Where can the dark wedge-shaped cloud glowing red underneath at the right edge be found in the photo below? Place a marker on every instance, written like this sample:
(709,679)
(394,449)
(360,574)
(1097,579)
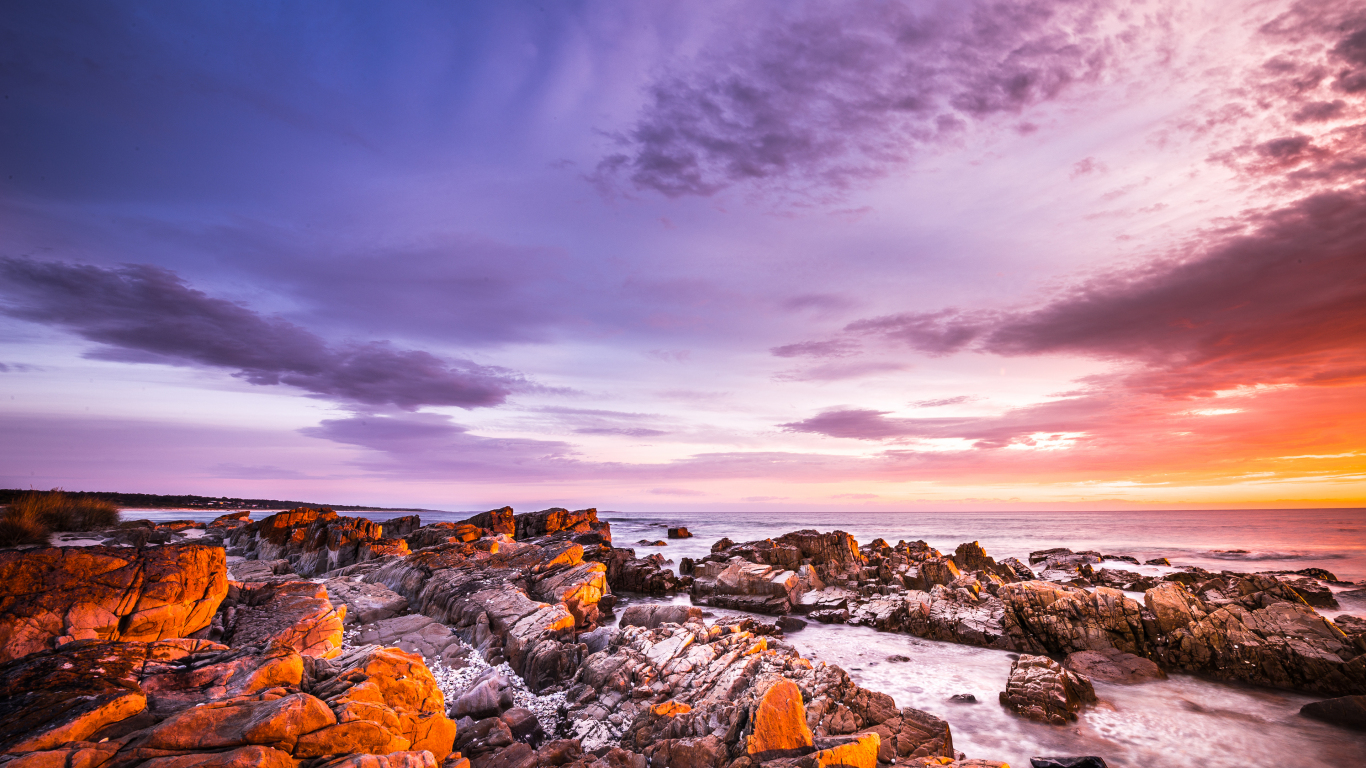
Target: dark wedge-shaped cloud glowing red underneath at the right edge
(1279,303)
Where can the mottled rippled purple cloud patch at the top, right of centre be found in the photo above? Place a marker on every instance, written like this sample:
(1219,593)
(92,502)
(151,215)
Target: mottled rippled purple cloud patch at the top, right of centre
(824,98)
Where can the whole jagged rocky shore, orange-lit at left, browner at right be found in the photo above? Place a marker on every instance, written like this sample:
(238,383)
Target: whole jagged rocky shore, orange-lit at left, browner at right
(313,640)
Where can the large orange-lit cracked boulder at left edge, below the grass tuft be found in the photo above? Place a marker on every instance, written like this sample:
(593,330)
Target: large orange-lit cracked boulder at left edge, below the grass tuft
(58,595)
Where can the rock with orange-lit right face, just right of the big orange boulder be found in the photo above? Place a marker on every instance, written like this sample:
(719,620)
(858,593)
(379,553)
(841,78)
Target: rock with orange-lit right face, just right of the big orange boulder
(293,614)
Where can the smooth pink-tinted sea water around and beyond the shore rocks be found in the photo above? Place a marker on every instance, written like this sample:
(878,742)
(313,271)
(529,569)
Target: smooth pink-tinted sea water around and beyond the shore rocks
(1182,722)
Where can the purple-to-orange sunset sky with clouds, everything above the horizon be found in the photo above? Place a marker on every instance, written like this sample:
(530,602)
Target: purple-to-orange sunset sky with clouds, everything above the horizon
(688,256)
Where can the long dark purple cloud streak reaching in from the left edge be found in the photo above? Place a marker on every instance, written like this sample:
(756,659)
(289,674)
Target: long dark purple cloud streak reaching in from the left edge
(143,314)
